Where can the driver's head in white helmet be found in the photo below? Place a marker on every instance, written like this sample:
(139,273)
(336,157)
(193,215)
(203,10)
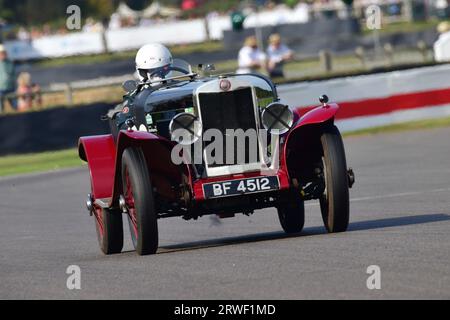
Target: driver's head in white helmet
(153,62)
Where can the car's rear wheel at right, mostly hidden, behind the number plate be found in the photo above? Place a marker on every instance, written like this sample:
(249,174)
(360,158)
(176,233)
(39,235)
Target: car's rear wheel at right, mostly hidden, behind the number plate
(292,215)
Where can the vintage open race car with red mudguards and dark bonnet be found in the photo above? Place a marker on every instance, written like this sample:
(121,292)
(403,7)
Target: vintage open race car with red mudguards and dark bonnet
(169,155)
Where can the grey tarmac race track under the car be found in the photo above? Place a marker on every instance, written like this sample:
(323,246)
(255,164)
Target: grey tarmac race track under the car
(400,221)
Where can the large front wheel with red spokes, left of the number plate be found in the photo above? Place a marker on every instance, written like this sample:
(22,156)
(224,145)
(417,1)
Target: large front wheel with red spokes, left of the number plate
(138,194)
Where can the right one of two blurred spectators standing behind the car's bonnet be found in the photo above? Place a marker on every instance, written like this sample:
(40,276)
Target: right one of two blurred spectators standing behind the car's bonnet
(278,54)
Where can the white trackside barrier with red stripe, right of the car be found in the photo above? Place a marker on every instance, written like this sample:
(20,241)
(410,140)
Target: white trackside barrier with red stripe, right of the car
(379,99)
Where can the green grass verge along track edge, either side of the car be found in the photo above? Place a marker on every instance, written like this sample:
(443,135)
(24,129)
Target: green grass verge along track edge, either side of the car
(47,161)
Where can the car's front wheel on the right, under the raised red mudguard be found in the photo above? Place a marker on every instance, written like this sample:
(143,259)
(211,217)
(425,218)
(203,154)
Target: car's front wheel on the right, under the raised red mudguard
(334,203)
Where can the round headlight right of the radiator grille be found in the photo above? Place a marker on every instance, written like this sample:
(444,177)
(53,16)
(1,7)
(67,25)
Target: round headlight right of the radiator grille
(277,118)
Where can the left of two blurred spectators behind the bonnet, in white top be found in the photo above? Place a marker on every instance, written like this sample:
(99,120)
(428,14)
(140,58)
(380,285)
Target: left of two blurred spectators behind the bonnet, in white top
(251,58)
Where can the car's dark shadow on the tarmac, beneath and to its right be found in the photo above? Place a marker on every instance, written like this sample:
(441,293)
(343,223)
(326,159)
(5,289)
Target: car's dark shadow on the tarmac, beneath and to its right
(268,236)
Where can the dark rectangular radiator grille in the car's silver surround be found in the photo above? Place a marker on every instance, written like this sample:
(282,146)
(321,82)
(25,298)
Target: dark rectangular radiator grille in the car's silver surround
(229,110)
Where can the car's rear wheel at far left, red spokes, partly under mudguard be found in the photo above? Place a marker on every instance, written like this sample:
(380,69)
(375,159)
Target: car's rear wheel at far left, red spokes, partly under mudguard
(109,227)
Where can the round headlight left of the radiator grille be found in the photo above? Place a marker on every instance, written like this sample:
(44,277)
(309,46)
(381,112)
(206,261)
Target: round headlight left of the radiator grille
(185,128)
